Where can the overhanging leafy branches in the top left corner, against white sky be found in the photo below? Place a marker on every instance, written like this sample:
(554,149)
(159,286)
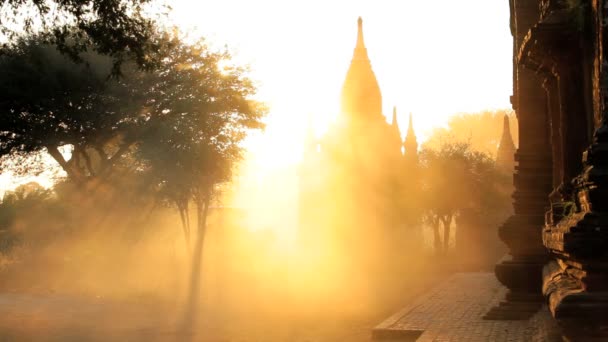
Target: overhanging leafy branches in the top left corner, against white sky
(118,29)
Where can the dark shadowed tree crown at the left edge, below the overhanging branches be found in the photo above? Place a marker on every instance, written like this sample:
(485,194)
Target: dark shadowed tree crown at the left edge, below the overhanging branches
(48,102)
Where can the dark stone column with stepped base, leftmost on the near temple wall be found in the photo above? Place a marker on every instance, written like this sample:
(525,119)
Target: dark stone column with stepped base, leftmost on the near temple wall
(521,269)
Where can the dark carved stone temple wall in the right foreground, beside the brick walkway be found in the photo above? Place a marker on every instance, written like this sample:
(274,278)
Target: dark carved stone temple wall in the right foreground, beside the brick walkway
(558,234)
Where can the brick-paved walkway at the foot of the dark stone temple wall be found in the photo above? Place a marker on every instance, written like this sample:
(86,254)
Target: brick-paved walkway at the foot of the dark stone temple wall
(453,311)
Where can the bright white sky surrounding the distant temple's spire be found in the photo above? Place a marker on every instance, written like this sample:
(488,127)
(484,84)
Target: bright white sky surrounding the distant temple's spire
(431,58)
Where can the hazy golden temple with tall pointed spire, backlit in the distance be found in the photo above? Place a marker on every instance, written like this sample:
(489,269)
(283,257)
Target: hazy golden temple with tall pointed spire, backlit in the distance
(354,177)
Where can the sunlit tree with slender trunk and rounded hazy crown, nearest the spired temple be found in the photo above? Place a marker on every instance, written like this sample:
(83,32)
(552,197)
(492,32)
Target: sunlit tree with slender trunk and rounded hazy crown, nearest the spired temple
(190,158)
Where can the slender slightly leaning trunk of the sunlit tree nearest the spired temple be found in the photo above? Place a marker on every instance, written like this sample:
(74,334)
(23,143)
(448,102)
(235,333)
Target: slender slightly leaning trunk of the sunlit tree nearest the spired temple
(192,305)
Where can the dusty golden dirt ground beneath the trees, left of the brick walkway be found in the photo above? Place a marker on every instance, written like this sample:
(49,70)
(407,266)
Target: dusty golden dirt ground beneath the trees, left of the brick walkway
(60,317)
